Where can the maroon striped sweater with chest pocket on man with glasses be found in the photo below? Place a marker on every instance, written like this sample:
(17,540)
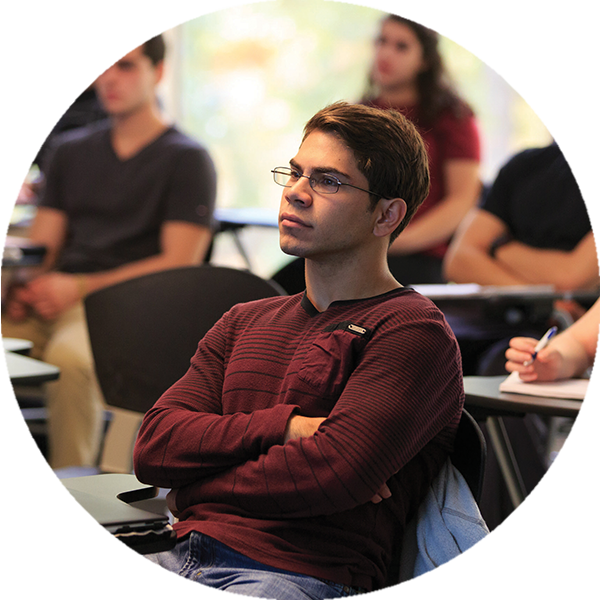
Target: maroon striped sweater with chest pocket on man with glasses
(386,373)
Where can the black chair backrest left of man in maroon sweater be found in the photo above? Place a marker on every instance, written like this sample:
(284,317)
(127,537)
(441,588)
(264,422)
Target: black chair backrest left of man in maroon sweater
(144,331)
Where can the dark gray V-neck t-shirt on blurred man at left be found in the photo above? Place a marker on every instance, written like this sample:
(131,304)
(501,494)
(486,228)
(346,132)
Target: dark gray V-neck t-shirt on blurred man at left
(115,207)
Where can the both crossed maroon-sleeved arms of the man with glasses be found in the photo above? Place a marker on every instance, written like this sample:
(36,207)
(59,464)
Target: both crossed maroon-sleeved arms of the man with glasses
(247,459)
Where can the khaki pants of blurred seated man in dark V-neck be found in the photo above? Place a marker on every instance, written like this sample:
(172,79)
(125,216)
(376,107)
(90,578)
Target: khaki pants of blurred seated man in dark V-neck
(74,401)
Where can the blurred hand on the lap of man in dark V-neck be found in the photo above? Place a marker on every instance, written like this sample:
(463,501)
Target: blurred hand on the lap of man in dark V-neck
(53,293)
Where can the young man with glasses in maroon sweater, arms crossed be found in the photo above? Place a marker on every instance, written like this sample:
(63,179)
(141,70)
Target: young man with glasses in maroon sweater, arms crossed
(308,427)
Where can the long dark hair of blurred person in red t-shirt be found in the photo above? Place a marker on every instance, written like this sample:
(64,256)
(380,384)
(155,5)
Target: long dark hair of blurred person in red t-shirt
(434,86)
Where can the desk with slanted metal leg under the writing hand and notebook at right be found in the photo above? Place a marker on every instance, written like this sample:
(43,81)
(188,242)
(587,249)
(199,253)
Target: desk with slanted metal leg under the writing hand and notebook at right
(483,393)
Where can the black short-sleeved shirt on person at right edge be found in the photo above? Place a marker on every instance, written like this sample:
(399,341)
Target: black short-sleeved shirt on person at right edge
(547,198)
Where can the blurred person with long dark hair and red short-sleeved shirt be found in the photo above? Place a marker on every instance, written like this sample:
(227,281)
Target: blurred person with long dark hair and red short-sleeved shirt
(408,74)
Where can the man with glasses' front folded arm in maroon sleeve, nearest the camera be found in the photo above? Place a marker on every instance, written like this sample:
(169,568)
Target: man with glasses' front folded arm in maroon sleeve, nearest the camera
(377,426)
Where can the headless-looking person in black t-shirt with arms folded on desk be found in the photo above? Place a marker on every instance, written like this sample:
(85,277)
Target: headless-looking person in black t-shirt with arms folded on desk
(540,223)
